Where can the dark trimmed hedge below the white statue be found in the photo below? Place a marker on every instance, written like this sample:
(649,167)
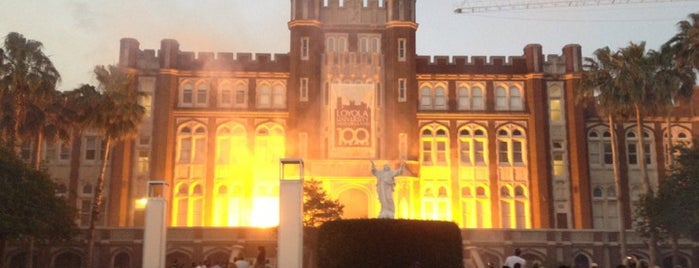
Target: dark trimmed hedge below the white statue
(385,243)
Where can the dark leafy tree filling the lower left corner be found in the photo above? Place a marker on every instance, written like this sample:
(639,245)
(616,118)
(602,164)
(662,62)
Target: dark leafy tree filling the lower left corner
(29,207)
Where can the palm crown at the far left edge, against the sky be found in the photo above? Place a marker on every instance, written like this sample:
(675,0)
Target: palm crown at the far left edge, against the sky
(27,76)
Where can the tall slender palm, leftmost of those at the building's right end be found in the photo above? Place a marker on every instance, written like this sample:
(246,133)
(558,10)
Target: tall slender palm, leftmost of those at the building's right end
(599,85)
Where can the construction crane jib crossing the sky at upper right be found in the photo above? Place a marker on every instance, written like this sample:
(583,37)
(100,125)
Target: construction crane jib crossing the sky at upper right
(481,6)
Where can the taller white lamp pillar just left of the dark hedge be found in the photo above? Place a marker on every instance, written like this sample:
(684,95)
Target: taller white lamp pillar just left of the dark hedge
(290,239)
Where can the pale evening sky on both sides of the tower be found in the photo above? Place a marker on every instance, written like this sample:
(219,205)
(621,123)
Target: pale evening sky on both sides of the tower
(79,34)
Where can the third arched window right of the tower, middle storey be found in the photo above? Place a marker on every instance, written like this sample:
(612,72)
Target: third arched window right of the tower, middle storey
(511,146)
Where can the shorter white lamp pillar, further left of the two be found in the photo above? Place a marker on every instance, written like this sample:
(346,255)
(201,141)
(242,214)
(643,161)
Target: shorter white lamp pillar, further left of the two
(155,233)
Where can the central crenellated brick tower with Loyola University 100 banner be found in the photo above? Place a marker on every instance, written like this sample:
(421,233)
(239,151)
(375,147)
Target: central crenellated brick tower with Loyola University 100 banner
(347,54)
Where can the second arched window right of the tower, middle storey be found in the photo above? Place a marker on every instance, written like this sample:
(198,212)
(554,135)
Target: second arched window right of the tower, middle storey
(472,144)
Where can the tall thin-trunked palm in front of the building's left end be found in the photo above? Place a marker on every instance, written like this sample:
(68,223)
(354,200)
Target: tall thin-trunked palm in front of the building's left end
(116,117)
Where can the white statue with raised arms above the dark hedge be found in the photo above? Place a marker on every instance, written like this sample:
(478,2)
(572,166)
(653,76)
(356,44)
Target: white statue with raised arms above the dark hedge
(384,187)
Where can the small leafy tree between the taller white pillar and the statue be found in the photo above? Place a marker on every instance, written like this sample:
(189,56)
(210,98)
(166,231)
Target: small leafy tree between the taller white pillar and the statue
(317,206)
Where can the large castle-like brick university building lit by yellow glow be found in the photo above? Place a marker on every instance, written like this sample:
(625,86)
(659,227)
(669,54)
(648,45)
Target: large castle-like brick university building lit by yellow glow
(490,142)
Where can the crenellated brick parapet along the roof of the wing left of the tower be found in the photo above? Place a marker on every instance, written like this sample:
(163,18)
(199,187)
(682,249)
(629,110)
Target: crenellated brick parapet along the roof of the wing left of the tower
(169,56)
